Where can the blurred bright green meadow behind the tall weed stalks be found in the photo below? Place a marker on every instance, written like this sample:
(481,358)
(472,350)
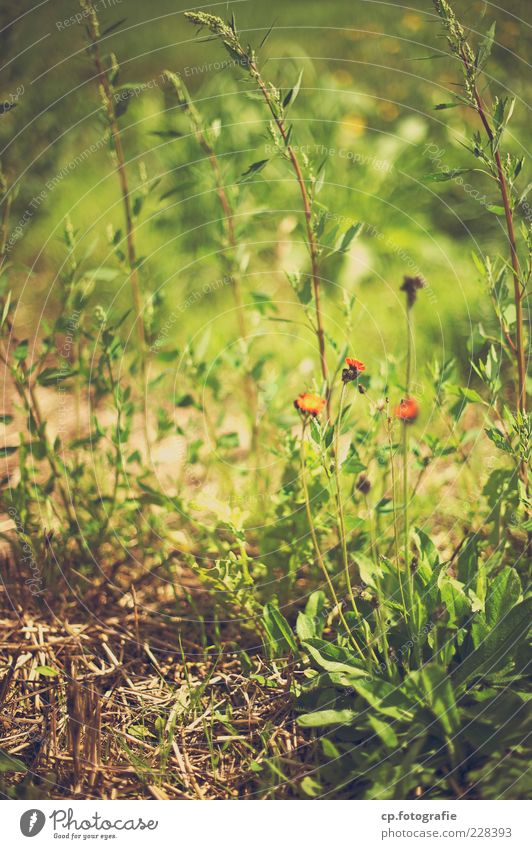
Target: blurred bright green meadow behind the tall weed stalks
(373,73)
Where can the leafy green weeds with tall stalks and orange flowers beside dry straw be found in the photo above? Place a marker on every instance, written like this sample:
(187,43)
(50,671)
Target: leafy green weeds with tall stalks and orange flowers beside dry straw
(316,524)
